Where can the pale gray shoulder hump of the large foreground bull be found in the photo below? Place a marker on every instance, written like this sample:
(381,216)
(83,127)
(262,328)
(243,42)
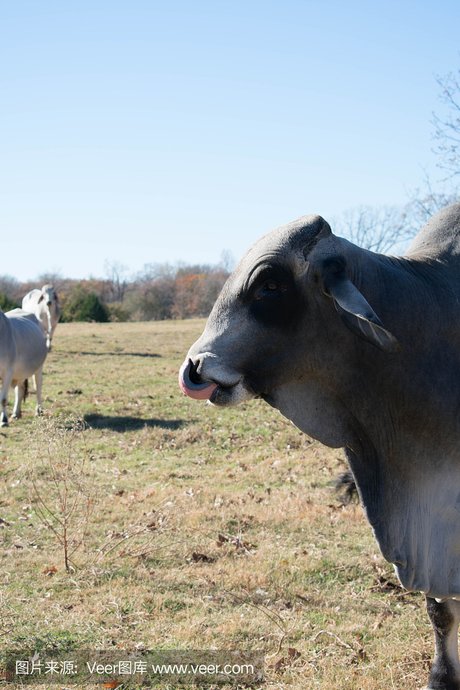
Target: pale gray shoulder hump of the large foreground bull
(440,237)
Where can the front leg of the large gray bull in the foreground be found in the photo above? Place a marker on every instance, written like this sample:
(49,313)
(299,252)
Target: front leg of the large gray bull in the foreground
(445,618)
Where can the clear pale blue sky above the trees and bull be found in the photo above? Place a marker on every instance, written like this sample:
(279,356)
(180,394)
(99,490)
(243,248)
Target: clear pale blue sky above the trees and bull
(147,131)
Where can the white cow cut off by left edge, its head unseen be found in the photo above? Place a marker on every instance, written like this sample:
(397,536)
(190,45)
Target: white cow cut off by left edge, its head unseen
(22,353)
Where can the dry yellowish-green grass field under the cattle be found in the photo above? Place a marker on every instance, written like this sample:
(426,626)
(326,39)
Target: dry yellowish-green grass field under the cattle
(183,526)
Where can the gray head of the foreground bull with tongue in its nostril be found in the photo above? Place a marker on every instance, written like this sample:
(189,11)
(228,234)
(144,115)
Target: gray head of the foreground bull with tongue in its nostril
(283,320)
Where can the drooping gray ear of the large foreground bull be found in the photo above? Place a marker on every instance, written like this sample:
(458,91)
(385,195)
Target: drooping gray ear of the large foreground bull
(355,311)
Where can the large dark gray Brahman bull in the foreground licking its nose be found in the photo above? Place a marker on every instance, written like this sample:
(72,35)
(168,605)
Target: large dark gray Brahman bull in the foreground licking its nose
(360,351)
